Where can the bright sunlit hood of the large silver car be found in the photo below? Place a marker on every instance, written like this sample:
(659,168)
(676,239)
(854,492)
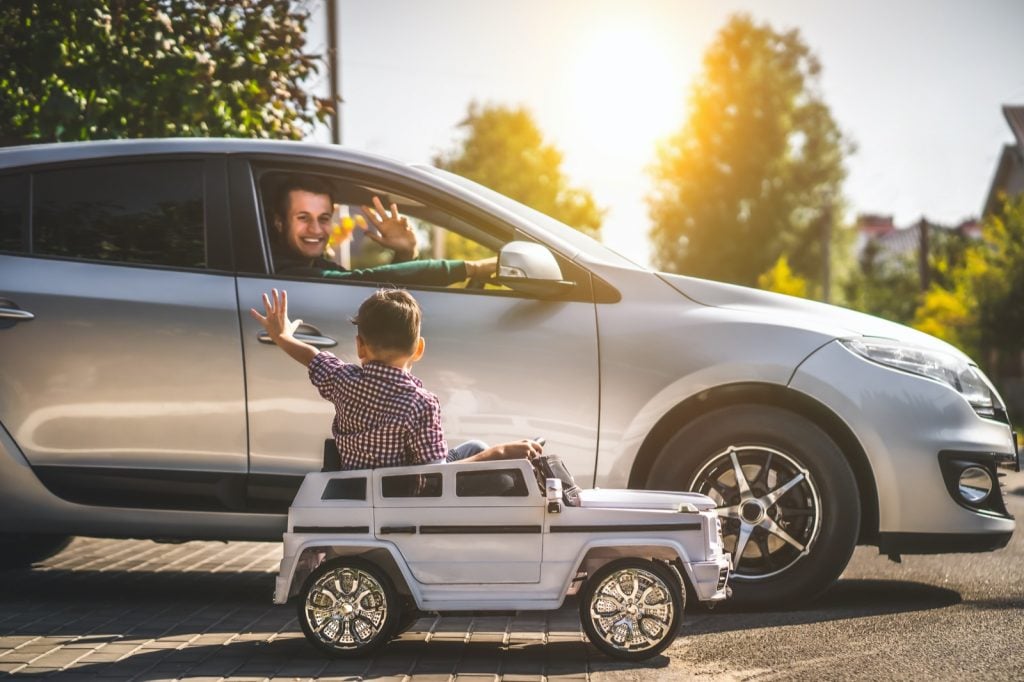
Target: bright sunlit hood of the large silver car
(801,313)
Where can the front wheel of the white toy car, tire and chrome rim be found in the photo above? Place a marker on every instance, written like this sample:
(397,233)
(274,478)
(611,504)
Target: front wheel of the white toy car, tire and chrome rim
(632,609)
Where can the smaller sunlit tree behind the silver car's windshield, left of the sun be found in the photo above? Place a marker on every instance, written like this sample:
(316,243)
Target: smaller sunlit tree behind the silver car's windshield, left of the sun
(504,150)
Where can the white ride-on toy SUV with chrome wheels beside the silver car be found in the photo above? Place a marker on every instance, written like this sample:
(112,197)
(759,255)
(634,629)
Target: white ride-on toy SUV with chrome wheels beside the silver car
(366,551)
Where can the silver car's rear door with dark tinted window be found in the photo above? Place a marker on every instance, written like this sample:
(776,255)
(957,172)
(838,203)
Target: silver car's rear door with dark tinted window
(123,382)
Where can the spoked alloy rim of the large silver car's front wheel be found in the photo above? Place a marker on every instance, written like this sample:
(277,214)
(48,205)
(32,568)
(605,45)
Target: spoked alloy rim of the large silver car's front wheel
(770,505)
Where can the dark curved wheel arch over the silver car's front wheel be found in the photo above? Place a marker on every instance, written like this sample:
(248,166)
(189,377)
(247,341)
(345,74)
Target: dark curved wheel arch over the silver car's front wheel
(775,396)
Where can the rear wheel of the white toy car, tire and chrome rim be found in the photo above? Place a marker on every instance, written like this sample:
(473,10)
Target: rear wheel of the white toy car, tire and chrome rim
(349,608)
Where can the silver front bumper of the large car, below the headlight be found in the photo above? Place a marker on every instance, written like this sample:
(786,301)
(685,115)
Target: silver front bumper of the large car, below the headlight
(904,422)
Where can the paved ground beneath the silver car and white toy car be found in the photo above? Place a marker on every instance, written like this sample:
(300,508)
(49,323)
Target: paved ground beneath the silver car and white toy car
(133,610)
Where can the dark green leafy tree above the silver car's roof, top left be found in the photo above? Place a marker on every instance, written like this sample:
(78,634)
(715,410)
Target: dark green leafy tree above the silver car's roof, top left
(104,69)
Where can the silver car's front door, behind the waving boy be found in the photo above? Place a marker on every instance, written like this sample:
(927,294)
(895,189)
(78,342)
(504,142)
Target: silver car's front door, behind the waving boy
(505,367)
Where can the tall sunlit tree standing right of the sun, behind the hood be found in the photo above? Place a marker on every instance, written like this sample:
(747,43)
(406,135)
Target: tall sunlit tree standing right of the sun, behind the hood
(757,170)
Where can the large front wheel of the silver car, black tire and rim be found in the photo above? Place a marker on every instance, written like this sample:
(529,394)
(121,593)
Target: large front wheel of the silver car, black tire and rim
(814,526)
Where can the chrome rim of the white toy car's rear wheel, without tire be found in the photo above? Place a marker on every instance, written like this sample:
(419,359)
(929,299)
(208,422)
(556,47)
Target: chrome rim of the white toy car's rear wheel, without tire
(347,609)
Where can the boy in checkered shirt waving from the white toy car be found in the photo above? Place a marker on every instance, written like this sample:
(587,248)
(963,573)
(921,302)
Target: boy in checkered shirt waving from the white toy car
(383,415)
